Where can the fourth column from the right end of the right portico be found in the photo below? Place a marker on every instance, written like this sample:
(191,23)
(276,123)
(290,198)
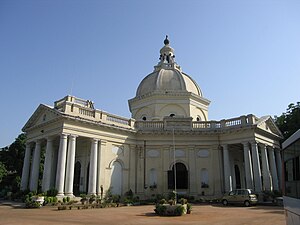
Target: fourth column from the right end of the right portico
(256,168)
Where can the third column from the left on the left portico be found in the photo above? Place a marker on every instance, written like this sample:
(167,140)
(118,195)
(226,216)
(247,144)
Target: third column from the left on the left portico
(47,165)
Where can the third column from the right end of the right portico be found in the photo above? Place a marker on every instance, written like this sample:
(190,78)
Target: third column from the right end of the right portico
(265,168)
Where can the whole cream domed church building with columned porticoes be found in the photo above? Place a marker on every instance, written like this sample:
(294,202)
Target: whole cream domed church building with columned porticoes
(168,141)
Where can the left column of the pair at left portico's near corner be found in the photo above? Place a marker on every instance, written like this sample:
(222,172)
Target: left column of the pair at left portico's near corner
(61,165)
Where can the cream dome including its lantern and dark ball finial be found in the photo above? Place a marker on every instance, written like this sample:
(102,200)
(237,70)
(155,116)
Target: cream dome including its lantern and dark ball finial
(167,76)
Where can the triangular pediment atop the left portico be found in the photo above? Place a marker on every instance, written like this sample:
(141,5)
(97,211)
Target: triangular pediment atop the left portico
(43,114)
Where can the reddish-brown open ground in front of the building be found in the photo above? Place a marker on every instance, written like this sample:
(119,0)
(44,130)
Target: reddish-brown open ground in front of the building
(137,215)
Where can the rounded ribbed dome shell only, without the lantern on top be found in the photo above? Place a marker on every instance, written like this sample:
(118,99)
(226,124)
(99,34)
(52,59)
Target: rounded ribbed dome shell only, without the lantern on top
(166,79)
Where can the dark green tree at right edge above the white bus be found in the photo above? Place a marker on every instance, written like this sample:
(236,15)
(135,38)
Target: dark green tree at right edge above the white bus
(289,122)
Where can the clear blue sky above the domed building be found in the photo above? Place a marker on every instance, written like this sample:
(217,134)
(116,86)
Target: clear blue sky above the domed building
(244,55)
